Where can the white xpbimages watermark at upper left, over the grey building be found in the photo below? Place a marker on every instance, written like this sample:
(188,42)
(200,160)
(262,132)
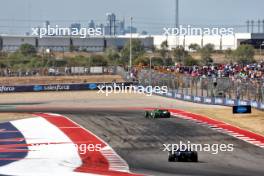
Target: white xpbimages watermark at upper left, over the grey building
(64,31)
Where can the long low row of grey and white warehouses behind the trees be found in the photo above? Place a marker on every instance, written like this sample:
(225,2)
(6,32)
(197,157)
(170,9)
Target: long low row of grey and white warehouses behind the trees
(100,43)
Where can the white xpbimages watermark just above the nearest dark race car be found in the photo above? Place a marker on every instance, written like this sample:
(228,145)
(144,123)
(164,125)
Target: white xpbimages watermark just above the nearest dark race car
(211,148)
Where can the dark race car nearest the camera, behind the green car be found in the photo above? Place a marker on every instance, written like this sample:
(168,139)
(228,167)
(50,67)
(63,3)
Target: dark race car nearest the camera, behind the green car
(183,156)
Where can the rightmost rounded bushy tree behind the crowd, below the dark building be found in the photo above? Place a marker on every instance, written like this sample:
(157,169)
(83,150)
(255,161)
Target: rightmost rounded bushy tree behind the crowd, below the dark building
(244,54)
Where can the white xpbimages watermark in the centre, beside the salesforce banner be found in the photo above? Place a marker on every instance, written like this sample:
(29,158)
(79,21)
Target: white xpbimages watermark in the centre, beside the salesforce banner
(123,89)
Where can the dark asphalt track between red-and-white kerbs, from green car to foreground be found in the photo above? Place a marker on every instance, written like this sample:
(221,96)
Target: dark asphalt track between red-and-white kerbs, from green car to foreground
(140,142)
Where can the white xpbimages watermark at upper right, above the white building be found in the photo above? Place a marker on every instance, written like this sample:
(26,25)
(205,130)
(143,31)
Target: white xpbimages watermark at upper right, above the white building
(189,30)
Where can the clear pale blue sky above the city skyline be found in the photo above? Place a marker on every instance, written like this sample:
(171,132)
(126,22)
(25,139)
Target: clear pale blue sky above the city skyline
(150,15)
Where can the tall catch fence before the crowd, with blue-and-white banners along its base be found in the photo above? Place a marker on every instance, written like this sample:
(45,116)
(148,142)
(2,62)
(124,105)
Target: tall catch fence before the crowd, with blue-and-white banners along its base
(225,91)
